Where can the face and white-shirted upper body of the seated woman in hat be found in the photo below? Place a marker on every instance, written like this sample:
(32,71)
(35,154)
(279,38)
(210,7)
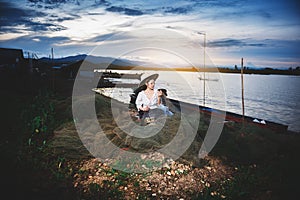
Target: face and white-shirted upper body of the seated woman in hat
(148,99)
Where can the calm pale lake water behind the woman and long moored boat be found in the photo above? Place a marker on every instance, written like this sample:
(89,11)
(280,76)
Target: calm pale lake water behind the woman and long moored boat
(270,97)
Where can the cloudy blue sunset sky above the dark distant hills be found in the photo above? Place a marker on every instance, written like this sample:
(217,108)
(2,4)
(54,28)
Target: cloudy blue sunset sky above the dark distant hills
(165,32)
